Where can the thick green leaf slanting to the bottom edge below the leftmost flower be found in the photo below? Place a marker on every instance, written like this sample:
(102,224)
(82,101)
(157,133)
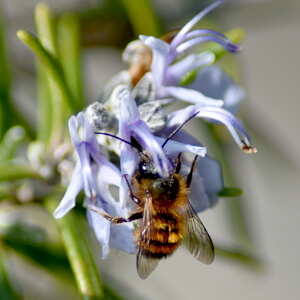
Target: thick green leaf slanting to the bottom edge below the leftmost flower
(84,269)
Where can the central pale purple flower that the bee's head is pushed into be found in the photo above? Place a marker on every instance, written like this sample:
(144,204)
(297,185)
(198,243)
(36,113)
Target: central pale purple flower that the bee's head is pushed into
(207,178)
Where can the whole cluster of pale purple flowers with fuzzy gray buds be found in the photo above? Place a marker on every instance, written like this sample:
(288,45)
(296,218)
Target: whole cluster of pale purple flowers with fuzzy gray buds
(138,115)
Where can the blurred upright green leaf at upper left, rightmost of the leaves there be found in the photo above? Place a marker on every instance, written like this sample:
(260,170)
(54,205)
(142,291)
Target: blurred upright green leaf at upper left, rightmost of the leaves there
(68,40)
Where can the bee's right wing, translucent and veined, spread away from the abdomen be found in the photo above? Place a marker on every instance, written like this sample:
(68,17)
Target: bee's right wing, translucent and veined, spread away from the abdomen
(198,240)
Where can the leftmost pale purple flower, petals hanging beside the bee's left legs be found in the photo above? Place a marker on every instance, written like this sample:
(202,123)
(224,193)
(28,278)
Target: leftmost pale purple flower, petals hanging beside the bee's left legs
(93,173)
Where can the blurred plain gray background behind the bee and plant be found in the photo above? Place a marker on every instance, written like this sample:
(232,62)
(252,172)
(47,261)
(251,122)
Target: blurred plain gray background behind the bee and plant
(269,66)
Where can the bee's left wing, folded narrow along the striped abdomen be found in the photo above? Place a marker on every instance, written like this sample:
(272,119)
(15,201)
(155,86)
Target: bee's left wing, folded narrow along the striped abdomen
(144,264)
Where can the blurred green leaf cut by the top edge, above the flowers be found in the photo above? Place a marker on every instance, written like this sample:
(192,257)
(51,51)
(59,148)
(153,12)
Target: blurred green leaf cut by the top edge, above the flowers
(143,19)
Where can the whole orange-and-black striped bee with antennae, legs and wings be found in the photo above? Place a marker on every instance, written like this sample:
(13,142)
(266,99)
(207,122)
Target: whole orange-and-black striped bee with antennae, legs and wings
(164,213)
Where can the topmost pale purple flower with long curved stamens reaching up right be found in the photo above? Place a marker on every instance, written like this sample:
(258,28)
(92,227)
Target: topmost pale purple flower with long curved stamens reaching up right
(166,73)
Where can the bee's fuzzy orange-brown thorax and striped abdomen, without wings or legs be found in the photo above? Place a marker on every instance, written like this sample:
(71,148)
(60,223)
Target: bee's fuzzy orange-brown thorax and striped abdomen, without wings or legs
(166,228)
